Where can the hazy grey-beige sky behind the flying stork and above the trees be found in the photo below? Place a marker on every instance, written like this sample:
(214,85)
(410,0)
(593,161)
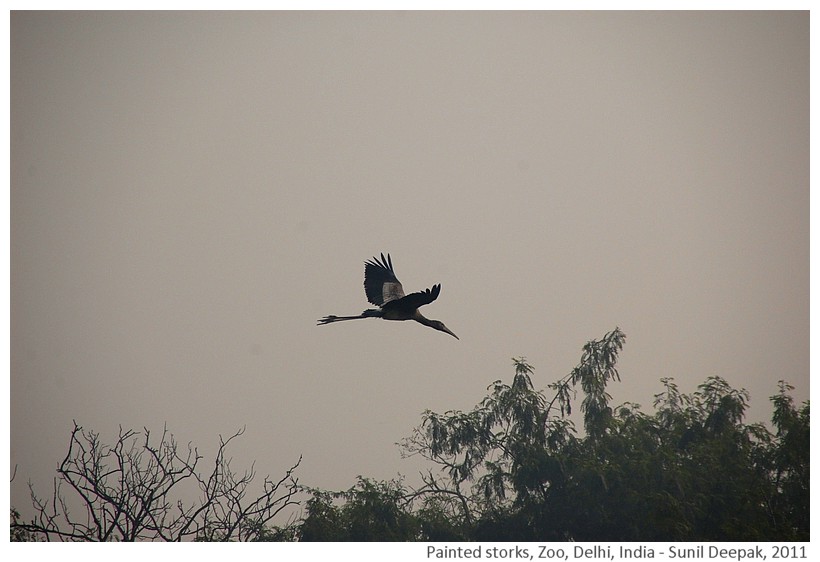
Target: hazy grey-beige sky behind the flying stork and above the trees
(190,192)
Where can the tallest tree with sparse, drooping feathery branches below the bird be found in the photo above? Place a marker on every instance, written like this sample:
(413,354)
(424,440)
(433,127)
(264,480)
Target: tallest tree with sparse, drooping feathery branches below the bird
(512,445)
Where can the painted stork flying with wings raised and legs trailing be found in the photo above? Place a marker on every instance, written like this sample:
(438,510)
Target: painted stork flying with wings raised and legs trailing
(385,291)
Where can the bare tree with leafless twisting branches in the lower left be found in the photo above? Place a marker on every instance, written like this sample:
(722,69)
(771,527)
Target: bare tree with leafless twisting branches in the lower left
(132,491)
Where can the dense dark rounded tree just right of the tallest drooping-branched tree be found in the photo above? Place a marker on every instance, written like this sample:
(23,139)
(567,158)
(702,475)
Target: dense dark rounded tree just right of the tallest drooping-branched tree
(689,472)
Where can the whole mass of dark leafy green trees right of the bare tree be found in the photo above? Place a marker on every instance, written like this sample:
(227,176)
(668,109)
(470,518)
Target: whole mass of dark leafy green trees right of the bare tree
(514,469)
